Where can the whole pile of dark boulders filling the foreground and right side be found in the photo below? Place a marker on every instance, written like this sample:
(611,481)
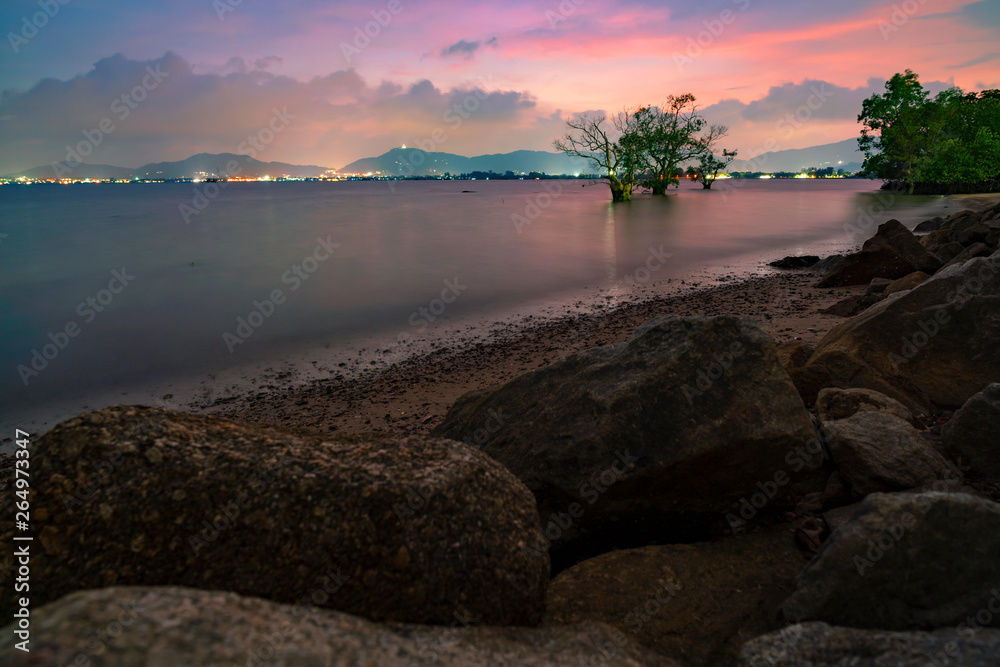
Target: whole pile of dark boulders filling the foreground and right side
(704,496)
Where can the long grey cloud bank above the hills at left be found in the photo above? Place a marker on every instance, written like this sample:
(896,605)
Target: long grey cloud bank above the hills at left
(337,117)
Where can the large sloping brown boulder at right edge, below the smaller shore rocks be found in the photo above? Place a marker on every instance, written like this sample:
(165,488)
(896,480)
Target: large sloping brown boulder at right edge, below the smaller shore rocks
(932,346)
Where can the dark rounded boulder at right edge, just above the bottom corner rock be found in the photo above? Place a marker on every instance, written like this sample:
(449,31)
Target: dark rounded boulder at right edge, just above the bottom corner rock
(905,561)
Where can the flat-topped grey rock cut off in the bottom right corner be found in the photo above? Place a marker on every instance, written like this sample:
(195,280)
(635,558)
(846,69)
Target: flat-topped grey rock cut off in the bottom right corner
(822,645)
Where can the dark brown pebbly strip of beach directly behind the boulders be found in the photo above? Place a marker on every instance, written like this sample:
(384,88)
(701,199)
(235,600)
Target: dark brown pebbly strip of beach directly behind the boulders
(411,396)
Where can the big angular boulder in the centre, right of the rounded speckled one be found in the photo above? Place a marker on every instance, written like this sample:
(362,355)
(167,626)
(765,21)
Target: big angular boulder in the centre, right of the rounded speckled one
(670,427)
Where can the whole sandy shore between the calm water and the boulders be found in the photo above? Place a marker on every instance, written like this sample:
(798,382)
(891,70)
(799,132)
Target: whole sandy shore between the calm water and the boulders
(369,382)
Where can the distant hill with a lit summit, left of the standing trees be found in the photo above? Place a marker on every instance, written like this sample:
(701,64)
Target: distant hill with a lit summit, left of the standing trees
(415,162)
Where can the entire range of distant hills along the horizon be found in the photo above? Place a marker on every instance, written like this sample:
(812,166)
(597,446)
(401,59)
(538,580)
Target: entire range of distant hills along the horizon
(414,162)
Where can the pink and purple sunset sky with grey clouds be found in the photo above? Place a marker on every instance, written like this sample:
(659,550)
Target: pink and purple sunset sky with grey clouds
(327,82)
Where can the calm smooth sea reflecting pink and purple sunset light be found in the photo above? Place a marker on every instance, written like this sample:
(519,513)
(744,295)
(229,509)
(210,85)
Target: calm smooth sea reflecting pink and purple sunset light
(108,288)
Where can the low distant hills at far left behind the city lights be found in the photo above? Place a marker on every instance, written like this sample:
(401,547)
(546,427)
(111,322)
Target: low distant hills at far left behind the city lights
(210,163)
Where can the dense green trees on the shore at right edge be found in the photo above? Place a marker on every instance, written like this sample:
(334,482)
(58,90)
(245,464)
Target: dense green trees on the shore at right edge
(946,144)
